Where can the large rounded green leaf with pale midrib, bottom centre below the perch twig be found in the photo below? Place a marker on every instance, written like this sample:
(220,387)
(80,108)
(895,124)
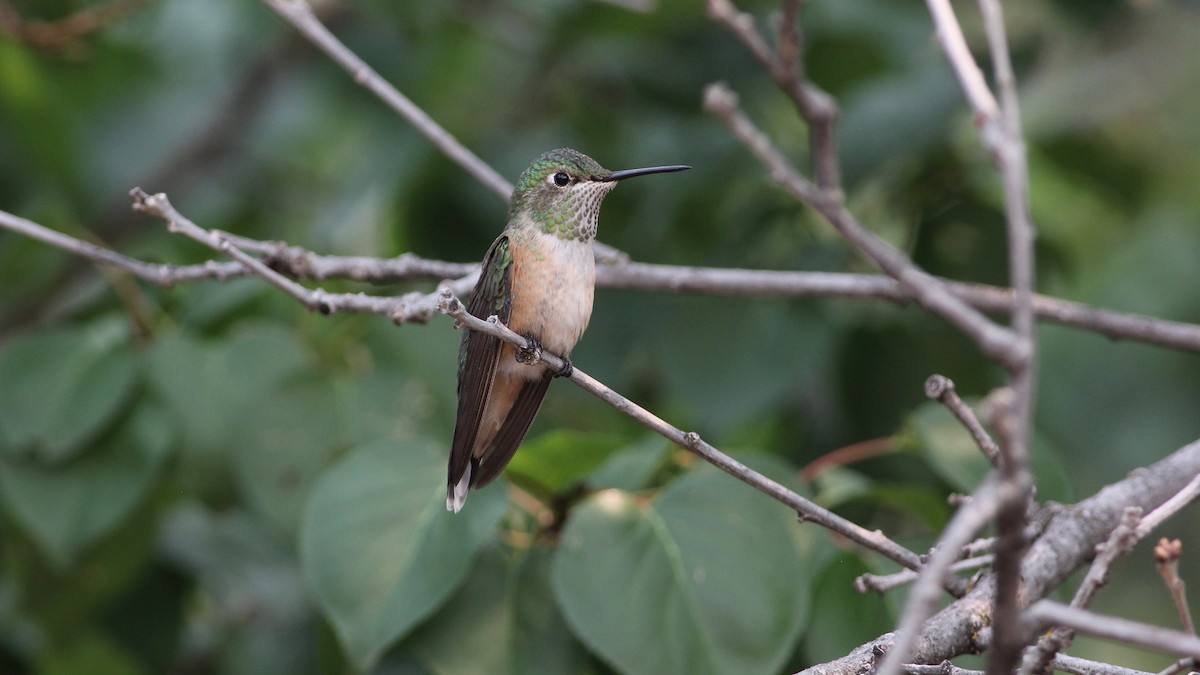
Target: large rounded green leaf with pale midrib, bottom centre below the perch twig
(705,580)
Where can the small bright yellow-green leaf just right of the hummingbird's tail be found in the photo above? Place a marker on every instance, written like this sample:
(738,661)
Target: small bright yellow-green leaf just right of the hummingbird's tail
(560,459)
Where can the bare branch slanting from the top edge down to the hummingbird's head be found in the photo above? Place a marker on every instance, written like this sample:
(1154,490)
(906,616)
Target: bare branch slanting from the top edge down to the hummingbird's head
(299,15)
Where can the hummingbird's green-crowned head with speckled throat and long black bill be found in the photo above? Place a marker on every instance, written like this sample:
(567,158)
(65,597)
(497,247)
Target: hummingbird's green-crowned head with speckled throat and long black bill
(562,192)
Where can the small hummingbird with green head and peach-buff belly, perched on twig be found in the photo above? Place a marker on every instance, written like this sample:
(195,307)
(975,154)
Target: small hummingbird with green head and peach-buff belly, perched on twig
(538,278)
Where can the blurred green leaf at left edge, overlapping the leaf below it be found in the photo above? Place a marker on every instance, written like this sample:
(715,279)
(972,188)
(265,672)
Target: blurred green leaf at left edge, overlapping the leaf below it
(61,389)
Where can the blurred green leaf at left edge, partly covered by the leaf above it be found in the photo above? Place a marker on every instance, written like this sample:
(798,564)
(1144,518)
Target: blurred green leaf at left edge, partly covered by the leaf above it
(68,507)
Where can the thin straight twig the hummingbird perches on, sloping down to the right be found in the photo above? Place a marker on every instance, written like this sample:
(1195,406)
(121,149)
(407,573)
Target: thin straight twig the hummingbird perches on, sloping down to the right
(691,441)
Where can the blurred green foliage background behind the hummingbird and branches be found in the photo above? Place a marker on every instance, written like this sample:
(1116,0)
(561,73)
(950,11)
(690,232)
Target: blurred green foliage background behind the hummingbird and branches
(208,480)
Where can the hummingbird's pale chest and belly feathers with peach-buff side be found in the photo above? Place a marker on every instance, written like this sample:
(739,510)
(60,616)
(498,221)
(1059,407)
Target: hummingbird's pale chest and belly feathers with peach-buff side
(553,290)
